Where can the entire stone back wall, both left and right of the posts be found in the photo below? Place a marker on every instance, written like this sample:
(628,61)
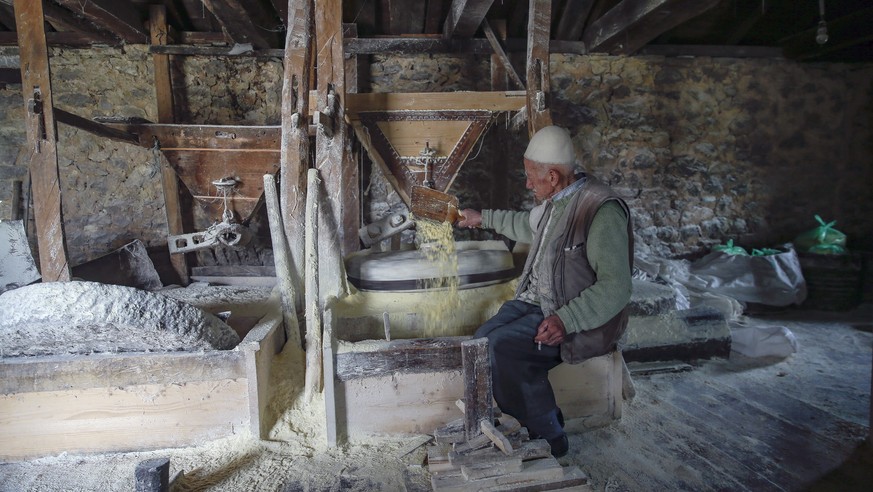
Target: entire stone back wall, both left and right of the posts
(705,149)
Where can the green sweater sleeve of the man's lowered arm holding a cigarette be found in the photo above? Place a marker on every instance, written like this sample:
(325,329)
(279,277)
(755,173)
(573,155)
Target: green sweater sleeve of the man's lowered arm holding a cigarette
(610,293)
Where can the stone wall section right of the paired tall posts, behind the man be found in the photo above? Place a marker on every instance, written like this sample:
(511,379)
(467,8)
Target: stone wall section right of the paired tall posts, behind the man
(707,150)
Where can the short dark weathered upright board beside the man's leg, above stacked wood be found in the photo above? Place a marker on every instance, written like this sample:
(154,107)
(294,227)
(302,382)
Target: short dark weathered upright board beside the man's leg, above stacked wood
(477,385)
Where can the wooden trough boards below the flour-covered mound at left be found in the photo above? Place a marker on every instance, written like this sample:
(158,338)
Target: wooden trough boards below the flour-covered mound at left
(137,401)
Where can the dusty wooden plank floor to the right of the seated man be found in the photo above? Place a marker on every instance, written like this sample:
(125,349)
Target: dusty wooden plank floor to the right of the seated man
(798,423)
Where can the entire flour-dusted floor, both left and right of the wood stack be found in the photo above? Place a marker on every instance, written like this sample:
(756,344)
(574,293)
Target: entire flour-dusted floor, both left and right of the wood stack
(798,423)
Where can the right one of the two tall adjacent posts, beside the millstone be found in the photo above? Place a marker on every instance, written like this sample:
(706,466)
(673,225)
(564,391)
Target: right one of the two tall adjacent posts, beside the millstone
(332,153)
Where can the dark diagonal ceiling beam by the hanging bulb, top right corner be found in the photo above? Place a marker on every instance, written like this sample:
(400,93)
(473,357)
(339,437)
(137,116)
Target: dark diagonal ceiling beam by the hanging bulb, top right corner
(844,32)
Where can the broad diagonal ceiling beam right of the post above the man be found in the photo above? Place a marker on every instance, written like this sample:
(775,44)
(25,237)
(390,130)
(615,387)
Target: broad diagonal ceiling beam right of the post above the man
(631,24)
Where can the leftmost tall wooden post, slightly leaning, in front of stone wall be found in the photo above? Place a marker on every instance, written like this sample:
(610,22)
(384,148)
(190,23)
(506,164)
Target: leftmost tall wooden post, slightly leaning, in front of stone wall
(42,138)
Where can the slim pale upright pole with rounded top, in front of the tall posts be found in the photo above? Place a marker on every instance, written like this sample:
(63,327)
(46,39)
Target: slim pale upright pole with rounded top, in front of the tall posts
(312,381)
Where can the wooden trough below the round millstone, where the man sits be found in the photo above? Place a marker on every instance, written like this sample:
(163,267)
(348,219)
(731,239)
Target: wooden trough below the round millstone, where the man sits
(411,386)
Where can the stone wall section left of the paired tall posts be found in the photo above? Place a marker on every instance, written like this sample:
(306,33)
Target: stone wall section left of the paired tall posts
(111,191)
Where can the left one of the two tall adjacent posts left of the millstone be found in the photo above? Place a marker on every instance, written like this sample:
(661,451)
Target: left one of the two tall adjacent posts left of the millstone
(294,157)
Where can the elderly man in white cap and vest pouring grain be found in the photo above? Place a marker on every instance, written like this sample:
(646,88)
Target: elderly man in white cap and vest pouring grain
(571,301)
